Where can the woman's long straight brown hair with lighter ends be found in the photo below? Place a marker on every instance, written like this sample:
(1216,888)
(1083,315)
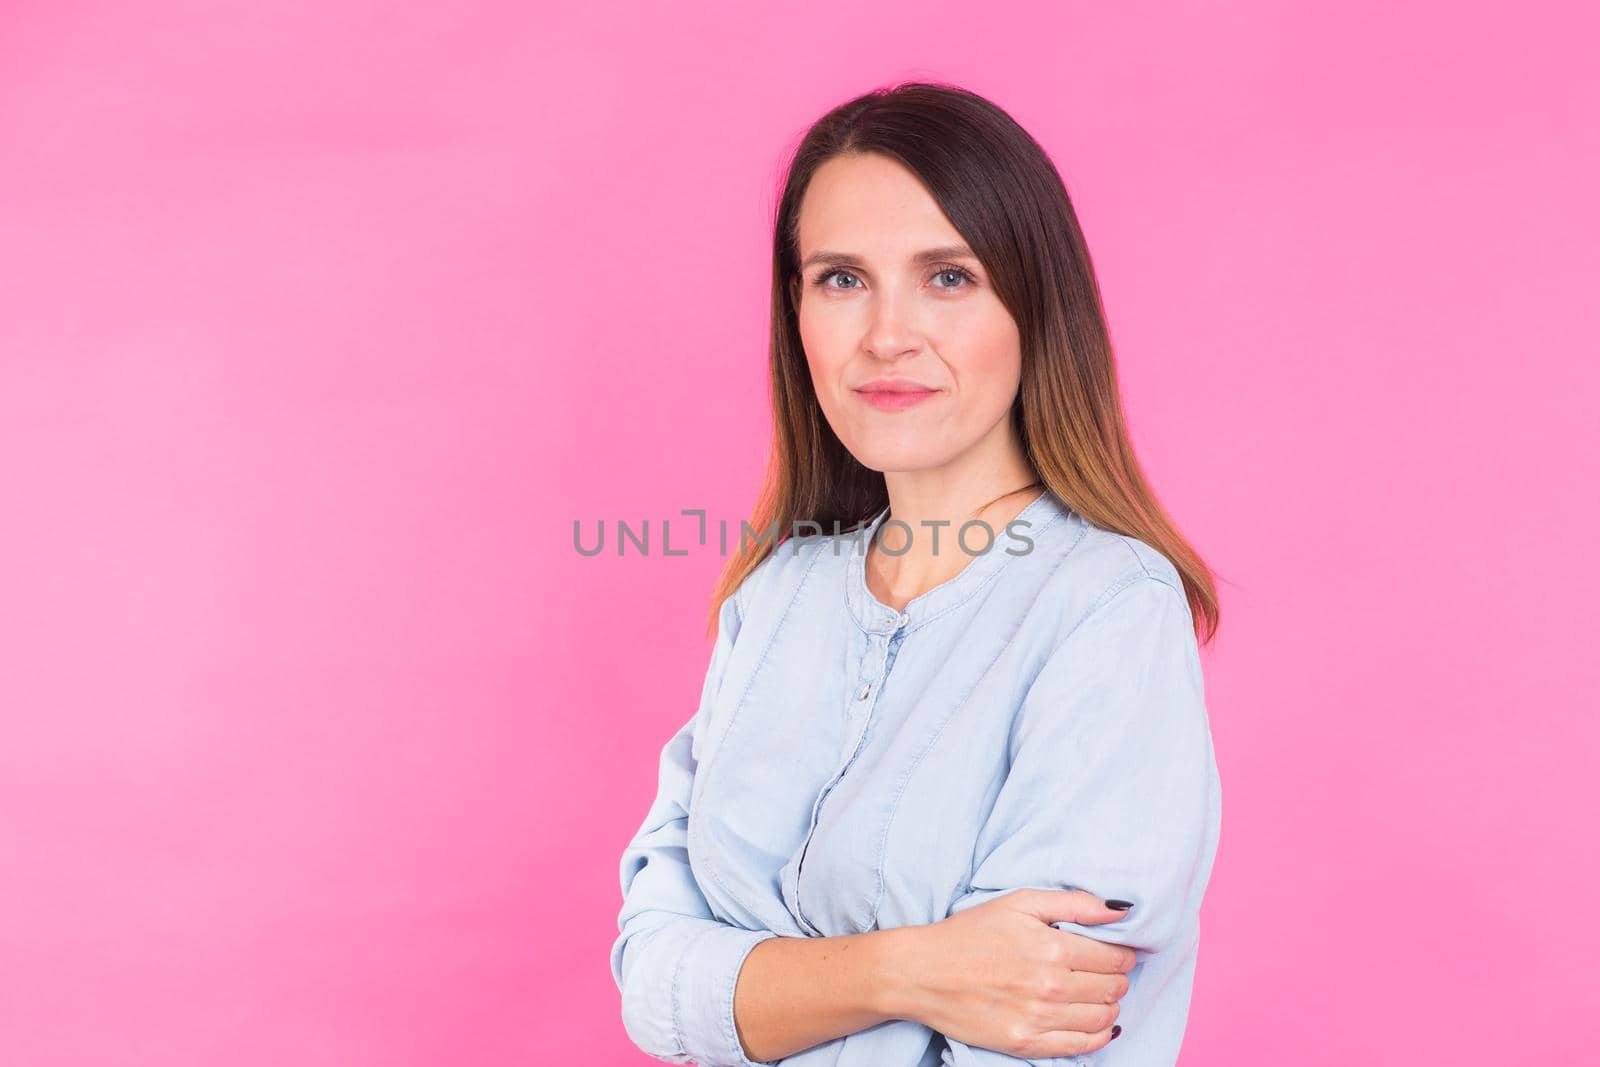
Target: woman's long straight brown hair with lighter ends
(1006,198)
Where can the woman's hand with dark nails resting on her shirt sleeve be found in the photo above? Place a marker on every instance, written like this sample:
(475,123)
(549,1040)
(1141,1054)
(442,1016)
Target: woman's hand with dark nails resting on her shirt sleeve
(1001,977)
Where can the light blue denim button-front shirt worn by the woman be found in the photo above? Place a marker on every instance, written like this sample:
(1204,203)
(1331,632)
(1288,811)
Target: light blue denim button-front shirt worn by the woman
(1038,721)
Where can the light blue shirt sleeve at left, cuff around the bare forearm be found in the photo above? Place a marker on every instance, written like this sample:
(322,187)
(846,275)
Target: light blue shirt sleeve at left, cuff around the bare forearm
(674,962)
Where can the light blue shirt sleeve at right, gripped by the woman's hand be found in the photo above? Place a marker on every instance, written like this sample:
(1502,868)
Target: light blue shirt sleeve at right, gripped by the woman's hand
(1113,789)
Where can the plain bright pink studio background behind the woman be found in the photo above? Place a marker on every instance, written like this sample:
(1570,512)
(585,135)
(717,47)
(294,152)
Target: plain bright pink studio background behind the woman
(321,324)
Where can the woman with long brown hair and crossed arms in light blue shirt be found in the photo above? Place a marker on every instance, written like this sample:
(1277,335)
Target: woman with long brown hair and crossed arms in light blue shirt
(950,796)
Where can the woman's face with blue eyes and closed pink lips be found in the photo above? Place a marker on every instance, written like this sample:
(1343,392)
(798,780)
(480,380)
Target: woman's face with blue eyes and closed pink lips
(876,310)
